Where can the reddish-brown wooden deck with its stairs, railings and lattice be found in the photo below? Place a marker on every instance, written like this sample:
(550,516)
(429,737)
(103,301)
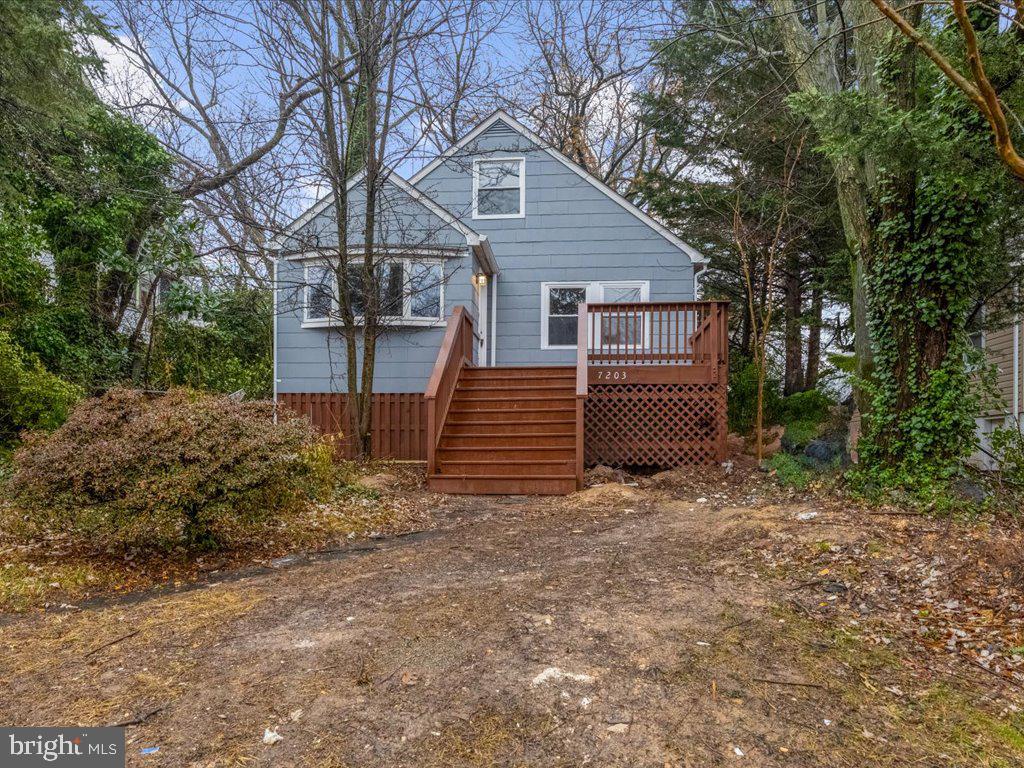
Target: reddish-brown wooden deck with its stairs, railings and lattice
(649,390)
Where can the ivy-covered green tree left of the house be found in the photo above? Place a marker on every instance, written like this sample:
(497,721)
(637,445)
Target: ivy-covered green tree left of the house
(108,222)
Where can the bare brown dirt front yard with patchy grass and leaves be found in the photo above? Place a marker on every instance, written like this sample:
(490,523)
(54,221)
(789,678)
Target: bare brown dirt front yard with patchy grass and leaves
(693,621)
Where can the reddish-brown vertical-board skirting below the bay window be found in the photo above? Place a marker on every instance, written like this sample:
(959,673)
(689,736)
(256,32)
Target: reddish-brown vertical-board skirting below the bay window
(400,421)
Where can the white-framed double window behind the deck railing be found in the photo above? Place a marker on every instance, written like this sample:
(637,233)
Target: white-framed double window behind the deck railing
(560,316)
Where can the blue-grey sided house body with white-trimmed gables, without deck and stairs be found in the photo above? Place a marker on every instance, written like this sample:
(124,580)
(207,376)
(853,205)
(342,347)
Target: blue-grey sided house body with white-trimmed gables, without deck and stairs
(500,225)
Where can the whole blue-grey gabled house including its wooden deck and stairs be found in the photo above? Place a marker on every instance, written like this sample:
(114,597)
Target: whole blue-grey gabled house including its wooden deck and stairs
(501,254)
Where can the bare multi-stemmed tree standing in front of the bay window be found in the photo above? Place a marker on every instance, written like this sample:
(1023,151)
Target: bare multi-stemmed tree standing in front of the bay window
(363,124)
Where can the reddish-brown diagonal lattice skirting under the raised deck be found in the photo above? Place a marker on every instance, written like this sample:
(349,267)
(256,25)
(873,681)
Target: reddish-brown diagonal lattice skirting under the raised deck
(656,425)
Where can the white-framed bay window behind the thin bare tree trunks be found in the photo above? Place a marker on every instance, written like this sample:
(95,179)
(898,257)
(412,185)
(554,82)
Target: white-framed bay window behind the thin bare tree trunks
(412,292)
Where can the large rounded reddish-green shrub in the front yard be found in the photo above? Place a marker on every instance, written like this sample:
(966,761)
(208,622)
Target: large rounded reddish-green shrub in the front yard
(185,470)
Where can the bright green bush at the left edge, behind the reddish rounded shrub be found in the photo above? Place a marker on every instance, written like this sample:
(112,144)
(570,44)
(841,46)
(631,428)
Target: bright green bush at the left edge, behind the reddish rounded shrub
(31,398)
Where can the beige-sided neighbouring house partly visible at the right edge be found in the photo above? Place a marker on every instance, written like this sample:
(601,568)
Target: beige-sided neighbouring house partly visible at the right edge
(1005,350)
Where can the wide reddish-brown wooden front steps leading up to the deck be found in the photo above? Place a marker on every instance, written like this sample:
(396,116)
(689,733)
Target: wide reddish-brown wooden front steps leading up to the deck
(509,431)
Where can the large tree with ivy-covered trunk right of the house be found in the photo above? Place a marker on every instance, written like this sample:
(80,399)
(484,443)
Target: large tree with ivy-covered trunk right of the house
(940,239)
